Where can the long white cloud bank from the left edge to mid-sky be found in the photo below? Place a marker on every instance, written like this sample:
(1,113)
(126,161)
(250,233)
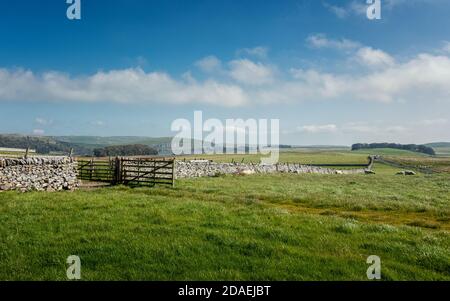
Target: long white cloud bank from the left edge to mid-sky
(121,86)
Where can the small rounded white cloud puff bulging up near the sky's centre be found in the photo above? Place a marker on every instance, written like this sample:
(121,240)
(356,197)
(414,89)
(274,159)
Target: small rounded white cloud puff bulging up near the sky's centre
(248,72)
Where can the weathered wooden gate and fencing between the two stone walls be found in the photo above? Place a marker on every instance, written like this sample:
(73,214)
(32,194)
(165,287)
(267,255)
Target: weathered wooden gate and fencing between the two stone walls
(129,171)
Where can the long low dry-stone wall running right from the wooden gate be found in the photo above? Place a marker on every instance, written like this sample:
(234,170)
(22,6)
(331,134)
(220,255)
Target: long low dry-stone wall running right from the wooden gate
(211,169)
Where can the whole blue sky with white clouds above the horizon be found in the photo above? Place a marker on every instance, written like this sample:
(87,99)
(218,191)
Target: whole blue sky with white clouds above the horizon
(131,67)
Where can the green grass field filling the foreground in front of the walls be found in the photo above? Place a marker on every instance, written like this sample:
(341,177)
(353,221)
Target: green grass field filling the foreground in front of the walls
(261,227)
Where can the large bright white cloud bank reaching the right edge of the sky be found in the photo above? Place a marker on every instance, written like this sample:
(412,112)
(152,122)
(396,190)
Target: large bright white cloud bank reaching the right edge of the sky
(424,78)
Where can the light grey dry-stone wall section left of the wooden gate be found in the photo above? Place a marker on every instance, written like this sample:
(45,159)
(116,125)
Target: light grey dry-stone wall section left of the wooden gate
(38,173)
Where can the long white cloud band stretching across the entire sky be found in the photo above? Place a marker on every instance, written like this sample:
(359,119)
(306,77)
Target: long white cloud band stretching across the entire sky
(424,79)
